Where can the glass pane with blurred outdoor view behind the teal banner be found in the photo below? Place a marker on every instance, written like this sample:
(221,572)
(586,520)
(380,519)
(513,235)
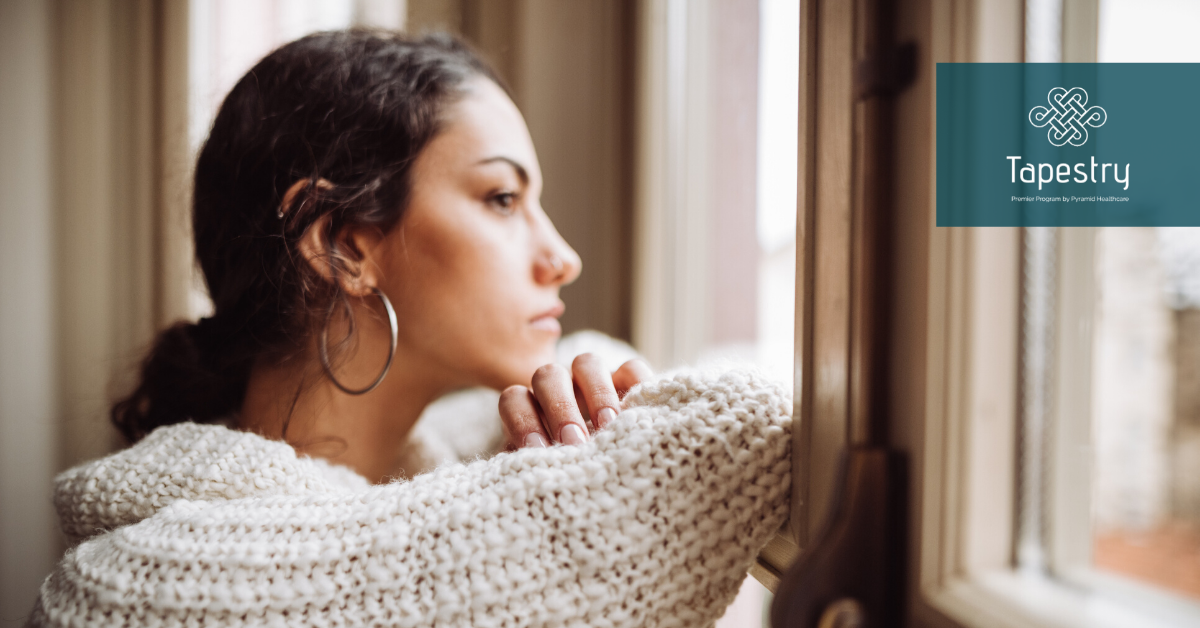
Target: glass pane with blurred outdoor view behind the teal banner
(1147,354)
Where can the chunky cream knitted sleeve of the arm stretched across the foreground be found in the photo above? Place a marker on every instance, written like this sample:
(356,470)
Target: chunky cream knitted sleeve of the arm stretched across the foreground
(653,523)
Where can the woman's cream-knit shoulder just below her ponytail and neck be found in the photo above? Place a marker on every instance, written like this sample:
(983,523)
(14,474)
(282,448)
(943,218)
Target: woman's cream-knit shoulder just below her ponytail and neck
(187,462)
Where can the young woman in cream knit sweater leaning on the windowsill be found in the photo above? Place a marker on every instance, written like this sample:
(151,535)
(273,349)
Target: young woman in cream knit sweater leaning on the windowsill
(367,216)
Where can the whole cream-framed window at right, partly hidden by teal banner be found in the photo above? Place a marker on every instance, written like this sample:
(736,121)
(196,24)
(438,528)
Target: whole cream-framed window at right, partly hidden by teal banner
(1058,482)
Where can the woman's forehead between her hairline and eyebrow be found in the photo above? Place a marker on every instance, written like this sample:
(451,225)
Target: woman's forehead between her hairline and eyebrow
(482,125)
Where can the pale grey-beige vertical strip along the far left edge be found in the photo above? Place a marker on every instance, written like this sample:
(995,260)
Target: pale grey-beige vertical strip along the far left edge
(28,391)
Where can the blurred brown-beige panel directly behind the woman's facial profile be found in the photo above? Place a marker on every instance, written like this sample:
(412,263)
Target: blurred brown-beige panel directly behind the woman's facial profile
(569,67)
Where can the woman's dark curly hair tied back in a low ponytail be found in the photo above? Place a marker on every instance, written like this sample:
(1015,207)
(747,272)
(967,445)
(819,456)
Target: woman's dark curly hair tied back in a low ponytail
(351,107)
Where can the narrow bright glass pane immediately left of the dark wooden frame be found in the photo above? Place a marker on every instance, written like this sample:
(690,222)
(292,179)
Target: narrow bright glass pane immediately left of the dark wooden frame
(754,183)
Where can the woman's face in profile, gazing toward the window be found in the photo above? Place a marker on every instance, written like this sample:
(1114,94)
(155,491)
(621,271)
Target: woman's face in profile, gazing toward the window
(476,266)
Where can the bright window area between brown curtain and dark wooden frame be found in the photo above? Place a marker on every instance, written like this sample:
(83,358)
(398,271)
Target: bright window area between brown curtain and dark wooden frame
(716,260)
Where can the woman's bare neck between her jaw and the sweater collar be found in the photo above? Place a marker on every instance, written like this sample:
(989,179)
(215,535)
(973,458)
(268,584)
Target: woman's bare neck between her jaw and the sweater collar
(367,433)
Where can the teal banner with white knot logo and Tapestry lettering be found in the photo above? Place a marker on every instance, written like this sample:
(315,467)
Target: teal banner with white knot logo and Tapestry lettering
(1069,145)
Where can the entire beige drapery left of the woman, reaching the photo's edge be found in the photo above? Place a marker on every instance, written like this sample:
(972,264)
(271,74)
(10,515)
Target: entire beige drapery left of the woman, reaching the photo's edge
(95,253)
